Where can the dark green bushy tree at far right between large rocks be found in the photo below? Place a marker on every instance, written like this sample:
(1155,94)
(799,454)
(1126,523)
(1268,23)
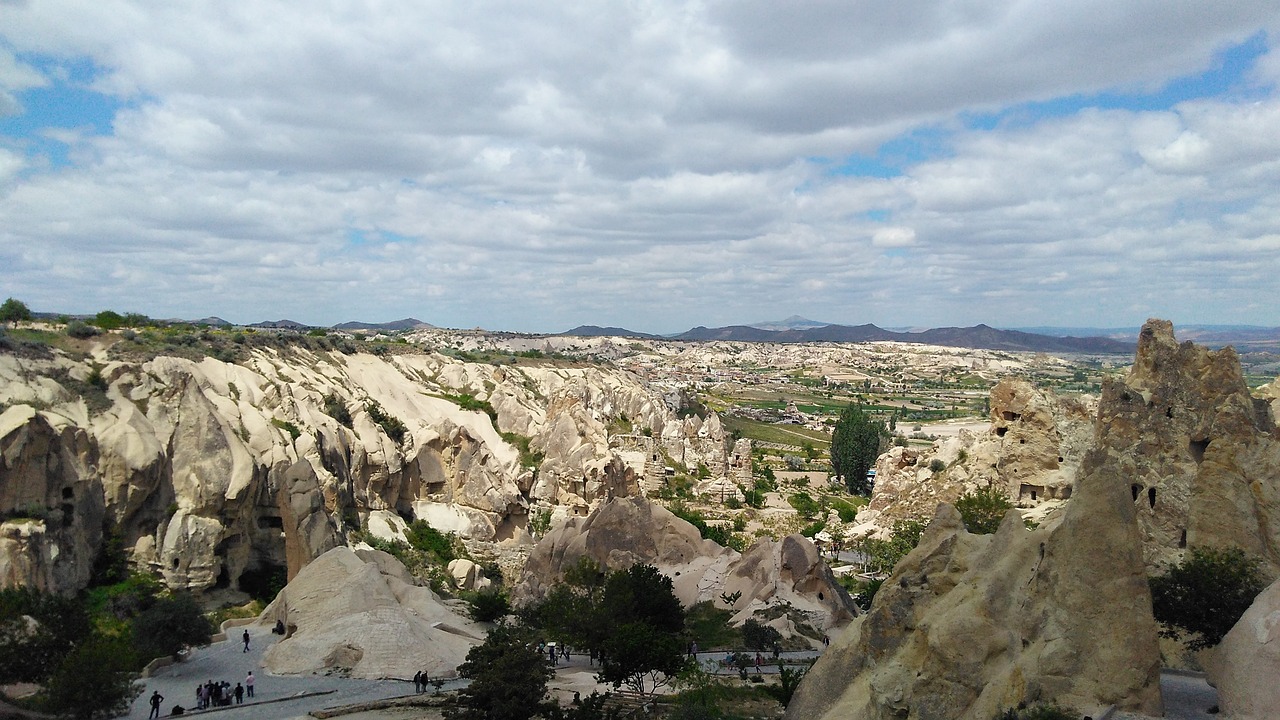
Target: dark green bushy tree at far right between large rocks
(1205,595)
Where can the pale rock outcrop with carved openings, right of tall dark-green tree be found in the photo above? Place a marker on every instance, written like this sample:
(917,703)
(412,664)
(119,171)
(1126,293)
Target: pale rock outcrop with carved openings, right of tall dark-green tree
(1031,452)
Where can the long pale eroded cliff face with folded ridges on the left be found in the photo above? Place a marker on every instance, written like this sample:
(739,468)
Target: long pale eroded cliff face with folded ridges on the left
(213,470)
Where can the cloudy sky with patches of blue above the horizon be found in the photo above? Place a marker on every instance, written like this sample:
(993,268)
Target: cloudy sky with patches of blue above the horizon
(652,166)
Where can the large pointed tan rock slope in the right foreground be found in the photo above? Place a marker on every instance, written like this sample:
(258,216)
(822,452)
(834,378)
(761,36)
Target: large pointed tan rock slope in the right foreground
(968,626)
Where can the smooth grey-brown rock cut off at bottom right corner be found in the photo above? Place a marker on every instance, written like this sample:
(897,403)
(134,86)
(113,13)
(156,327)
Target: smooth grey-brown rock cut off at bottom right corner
(1246,664)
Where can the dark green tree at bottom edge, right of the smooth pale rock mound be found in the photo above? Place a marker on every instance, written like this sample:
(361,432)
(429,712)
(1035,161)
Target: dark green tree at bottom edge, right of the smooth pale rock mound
(509,678)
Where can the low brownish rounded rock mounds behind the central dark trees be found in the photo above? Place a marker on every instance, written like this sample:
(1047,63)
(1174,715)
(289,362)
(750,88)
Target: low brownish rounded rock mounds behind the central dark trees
(628,531)
